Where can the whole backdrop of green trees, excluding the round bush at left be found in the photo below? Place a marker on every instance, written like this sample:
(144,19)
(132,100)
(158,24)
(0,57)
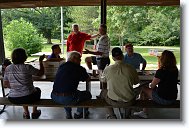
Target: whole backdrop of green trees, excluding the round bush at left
(141,25)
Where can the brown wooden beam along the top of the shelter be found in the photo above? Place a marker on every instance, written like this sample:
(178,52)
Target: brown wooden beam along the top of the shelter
(51,3)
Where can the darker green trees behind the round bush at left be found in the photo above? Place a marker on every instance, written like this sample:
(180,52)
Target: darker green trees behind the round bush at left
(46,19)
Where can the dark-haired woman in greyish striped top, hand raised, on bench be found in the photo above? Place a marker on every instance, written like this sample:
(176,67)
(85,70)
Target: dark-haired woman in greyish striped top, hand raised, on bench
(18,77)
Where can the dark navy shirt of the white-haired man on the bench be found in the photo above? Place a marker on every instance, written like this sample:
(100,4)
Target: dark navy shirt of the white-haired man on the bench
(68,76)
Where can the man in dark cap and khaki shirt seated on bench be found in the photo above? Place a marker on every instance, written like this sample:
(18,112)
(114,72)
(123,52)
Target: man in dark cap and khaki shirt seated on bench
(120,78)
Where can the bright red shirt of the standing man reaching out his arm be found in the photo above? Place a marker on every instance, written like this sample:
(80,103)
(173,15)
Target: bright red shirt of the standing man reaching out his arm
(75,42)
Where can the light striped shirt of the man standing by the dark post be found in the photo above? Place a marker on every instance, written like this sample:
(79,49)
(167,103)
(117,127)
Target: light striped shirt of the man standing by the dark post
(103,46)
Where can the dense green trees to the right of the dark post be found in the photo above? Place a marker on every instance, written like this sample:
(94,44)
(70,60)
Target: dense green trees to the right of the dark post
(144,25)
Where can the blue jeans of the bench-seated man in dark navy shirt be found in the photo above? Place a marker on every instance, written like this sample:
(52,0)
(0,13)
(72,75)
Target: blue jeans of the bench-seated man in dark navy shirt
(72,100)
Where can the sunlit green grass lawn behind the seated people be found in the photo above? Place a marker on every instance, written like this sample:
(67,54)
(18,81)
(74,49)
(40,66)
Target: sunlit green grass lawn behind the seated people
(143,50)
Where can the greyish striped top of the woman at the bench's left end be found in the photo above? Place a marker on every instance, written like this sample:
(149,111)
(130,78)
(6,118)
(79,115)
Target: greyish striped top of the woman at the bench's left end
(20,79)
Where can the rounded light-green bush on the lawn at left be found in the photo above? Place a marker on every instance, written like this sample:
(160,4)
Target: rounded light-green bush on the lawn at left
(20,33)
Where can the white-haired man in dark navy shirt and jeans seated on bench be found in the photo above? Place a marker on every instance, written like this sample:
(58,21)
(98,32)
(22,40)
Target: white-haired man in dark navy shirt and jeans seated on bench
(66,82)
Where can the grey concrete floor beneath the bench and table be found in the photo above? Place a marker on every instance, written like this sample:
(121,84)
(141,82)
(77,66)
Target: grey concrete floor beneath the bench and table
(15,112)
